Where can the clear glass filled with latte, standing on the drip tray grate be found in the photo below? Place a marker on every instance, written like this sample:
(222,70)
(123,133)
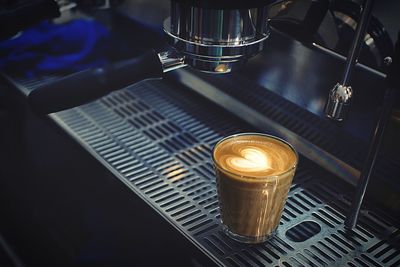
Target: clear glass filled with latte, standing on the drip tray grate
(254,172)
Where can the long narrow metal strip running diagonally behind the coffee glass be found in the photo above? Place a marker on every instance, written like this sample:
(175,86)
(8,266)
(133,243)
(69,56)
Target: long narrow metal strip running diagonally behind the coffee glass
(305,147)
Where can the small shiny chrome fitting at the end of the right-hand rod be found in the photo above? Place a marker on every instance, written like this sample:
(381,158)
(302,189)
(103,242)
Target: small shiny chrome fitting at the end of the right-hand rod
(338,103)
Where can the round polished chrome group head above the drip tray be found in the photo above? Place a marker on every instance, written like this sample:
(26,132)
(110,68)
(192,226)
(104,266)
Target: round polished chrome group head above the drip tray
(216,40)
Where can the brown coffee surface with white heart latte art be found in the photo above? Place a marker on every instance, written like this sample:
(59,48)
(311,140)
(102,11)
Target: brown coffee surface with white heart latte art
(256,156)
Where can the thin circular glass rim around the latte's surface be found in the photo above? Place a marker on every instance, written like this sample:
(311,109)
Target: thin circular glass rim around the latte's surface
(259,134)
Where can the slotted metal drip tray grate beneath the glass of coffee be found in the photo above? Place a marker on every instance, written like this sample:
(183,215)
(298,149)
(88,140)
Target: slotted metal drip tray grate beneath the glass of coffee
(158,138)
